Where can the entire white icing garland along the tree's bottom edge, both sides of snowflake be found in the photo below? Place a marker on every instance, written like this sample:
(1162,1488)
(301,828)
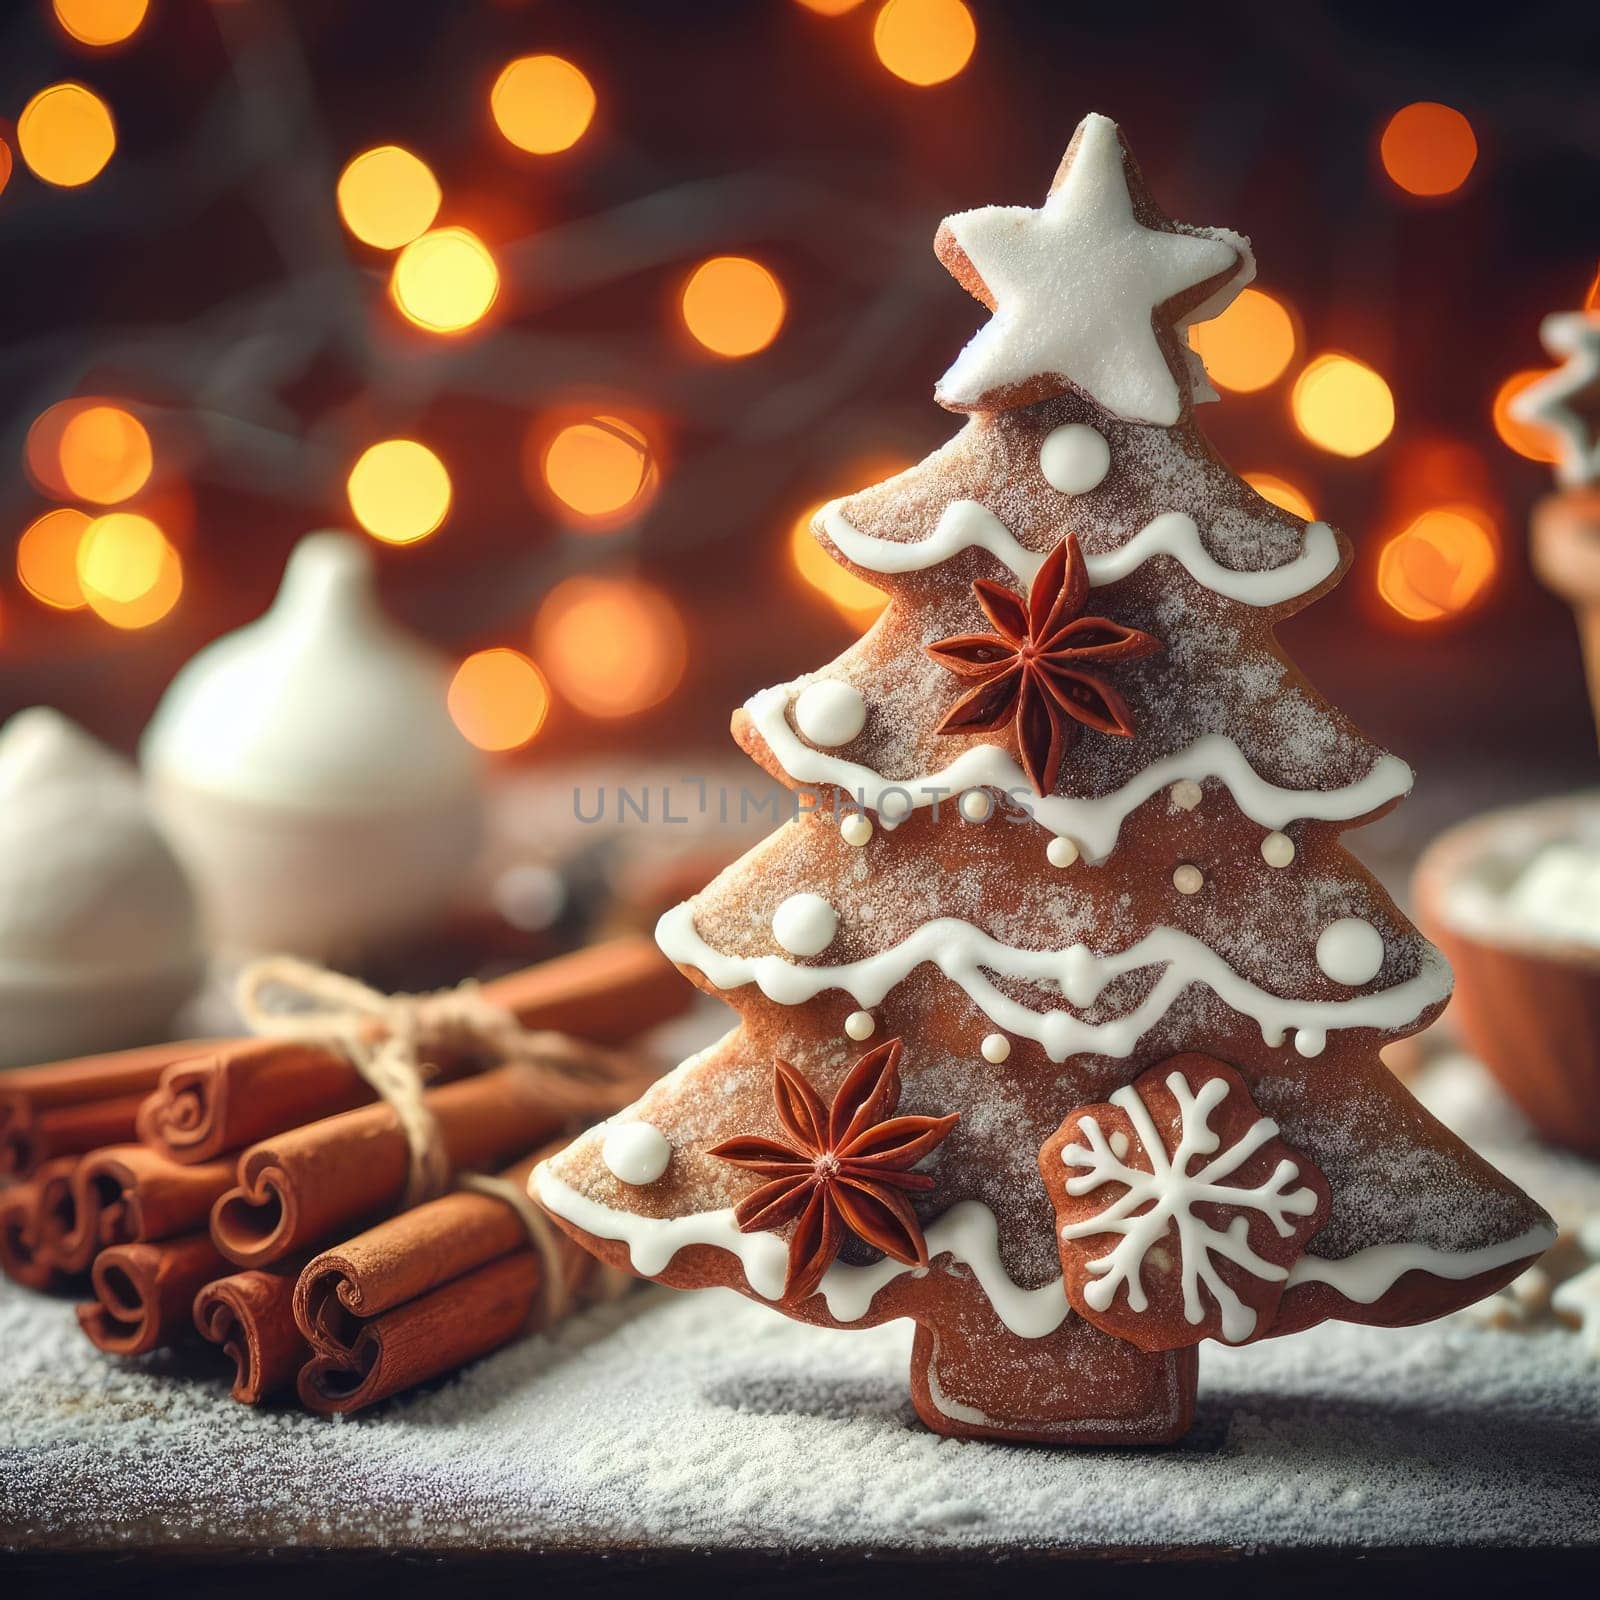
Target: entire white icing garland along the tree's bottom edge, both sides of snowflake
(970,1234)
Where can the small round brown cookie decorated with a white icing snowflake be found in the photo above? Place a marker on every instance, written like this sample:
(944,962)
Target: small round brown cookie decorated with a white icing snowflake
(1180,1209)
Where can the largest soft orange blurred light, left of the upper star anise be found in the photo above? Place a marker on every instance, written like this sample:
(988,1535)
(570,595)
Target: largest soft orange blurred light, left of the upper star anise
(612,646)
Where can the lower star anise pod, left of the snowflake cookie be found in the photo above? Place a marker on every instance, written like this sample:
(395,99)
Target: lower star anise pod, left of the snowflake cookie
(847,1166)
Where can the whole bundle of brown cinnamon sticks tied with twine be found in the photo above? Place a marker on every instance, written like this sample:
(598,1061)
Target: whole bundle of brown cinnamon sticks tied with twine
(255,1190)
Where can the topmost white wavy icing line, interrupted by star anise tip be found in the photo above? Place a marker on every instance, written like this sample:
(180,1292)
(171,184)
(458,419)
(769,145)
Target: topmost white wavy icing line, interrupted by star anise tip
(969,526)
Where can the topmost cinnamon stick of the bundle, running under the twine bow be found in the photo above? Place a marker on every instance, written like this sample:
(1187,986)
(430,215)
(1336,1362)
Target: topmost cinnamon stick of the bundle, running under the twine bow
(250,1090)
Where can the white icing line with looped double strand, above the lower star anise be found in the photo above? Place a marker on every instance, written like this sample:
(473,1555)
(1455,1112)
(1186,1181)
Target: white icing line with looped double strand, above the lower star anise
(967,956)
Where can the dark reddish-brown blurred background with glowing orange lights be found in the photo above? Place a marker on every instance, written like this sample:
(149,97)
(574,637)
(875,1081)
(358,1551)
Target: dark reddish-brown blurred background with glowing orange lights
(207,286)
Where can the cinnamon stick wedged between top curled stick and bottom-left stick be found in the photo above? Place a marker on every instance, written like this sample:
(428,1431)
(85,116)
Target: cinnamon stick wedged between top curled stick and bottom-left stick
(126,1194)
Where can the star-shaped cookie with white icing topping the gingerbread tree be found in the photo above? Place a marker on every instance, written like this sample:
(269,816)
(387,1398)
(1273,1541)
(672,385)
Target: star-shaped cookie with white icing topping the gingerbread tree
(1076,289)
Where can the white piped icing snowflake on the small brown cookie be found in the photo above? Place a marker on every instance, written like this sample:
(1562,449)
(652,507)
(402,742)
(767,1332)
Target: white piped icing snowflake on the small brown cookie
(1169,1194)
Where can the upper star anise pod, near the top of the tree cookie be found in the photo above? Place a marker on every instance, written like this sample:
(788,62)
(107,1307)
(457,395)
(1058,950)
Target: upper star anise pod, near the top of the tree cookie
(1042,666)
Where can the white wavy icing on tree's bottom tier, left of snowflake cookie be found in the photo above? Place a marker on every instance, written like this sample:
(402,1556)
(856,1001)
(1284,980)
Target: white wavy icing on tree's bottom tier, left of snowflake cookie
(969,1233)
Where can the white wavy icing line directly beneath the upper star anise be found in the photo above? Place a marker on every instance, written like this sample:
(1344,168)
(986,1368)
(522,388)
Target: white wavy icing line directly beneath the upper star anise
(1095,823)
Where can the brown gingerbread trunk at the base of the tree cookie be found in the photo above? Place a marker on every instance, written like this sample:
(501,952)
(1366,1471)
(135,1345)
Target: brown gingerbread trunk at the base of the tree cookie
(974,1378)
